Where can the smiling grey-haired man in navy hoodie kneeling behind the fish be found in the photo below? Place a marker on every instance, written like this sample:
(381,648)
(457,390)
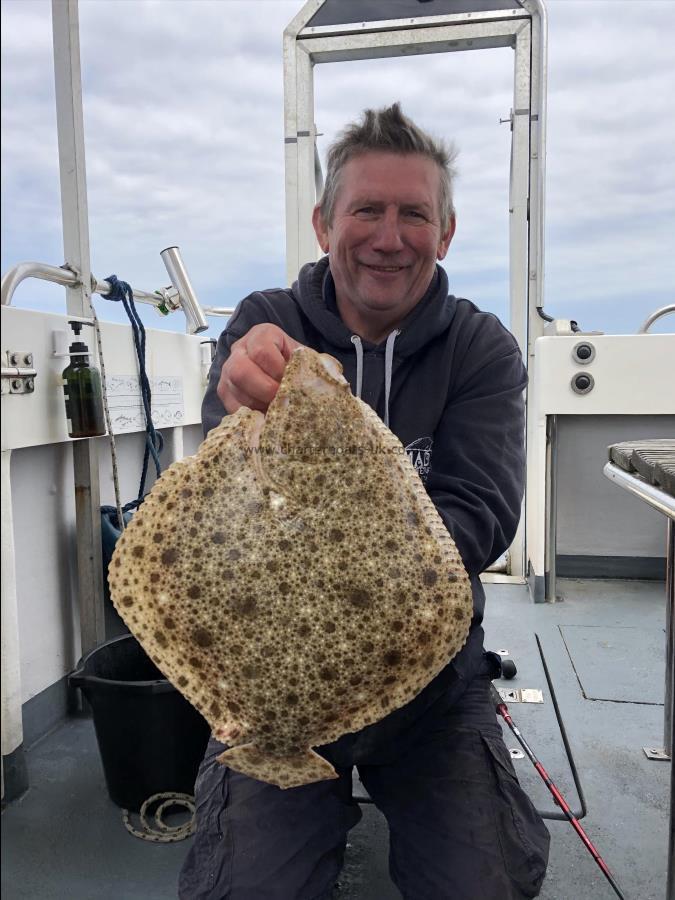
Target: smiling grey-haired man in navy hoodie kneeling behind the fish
(448,380)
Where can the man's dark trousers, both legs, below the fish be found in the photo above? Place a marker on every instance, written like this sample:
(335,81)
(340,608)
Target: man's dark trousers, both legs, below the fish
(461,827)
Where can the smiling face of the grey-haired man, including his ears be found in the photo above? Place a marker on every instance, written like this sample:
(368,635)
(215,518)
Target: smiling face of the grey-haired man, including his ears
(385,236)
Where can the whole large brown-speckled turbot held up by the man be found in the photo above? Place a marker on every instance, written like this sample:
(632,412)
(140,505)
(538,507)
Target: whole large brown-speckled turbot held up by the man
(293,579)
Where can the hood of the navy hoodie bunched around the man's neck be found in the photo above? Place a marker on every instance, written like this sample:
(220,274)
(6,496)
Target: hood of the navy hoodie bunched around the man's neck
(315,292)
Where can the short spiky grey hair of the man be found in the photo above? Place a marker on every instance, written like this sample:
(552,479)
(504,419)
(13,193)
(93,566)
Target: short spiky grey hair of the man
(388,130)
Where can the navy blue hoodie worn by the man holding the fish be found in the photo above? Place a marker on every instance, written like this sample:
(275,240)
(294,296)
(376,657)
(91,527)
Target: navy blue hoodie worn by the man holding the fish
(449,383)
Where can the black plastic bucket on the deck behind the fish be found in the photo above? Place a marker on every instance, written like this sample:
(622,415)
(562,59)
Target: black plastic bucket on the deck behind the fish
(150,738)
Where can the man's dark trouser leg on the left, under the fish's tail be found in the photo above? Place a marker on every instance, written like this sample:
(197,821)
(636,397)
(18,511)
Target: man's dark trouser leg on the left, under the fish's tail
(257,842)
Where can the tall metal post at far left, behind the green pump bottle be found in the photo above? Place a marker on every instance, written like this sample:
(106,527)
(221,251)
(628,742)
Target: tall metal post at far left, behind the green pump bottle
(70,128)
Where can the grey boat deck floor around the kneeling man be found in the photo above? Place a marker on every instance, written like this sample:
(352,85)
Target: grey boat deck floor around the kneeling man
(65,840)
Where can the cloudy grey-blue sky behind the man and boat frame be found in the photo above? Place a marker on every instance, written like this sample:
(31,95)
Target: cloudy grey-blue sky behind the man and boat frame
(183,114)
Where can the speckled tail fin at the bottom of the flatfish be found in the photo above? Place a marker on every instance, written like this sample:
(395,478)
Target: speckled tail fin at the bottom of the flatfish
(289,771)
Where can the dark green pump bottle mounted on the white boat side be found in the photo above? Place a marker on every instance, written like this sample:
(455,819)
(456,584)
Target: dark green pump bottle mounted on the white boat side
(82,388)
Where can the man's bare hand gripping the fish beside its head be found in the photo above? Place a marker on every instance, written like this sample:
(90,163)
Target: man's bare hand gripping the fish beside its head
(253,371)
